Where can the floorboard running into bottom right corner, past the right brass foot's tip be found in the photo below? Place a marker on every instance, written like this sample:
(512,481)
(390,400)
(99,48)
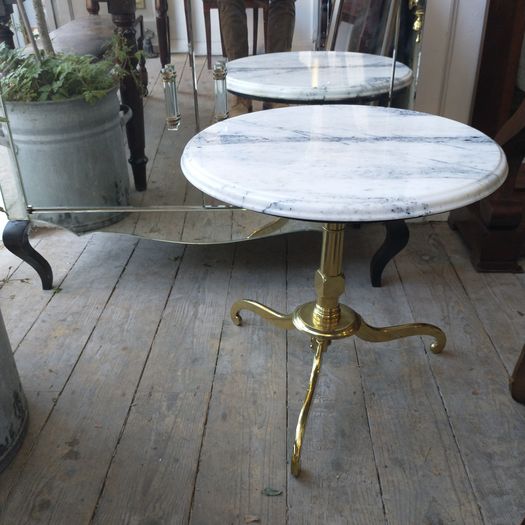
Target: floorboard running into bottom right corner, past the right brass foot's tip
(489,427)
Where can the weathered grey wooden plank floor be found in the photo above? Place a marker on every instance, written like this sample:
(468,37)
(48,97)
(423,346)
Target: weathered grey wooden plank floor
(148,406)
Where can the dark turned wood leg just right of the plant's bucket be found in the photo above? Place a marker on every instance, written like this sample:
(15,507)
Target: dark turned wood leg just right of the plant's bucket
(130,92)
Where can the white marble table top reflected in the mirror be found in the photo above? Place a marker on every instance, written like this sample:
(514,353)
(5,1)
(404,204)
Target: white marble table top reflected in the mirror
(315,76)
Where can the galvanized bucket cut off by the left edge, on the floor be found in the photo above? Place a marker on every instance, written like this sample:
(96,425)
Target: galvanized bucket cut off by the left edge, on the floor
(13,406)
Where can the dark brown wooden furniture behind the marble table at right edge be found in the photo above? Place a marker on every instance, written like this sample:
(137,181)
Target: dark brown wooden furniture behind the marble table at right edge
(493,229)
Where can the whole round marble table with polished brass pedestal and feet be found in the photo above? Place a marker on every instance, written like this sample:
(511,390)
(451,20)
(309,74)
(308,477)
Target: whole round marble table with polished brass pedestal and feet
(337,164)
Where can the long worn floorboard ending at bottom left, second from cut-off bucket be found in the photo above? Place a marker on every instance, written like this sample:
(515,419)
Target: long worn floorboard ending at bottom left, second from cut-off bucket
(64,476)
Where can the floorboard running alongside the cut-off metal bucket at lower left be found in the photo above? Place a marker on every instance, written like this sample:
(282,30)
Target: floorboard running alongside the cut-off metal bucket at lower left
(50,350)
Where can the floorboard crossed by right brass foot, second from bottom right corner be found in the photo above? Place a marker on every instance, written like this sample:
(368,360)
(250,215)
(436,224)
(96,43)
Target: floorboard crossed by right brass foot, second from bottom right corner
(414,447)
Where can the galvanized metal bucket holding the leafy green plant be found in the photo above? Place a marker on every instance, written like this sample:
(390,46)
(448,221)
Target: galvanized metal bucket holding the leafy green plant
(71,153)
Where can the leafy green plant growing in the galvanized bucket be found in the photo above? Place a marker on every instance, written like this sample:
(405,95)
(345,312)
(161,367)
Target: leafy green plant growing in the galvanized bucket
(58,77)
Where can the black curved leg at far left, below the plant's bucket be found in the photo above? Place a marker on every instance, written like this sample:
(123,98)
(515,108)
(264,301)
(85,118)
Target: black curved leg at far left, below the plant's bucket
(16,240)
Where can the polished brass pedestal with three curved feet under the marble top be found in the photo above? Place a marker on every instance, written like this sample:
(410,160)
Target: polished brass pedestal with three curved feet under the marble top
(326,319)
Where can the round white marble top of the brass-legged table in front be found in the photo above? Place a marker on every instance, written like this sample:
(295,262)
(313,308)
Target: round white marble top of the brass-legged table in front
(344,163)
